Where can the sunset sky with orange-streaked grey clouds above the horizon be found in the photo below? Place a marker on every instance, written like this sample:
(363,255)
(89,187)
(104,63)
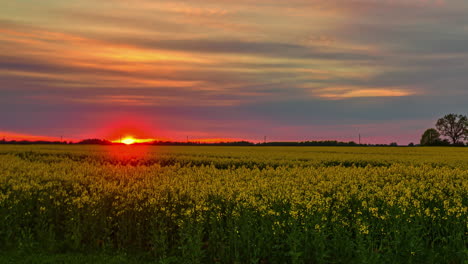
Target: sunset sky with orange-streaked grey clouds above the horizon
(203,69)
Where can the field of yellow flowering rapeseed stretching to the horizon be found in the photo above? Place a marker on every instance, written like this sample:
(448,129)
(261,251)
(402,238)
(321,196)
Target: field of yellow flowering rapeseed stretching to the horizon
(237,204)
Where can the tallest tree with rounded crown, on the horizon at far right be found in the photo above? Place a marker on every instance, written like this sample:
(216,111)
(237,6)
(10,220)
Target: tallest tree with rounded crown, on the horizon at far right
(454,127)
